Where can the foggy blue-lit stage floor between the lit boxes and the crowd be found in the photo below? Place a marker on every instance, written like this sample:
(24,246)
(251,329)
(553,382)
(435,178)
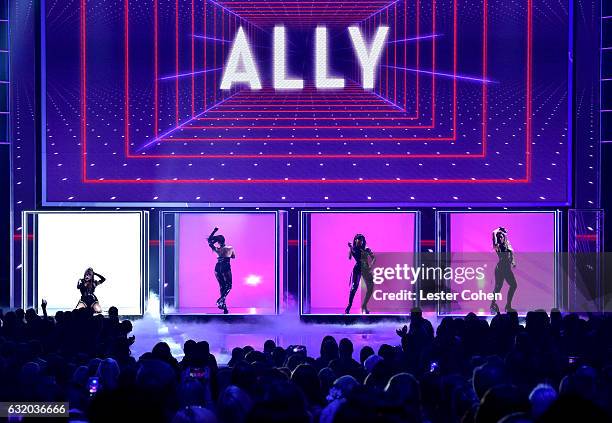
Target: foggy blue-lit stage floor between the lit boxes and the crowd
(224,333)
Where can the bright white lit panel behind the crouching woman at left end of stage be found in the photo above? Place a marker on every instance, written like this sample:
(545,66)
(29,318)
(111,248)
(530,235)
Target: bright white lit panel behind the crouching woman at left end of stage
(69,243)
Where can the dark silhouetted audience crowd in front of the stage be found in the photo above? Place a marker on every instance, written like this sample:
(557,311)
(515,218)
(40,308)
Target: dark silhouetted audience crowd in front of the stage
(547,368)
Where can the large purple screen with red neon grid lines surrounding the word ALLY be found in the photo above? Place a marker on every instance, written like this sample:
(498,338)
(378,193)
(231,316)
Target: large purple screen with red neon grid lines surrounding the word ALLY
(447,109)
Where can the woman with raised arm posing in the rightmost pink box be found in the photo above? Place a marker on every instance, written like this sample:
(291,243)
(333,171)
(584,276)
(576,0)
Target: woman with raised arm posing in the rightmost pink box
(503,269)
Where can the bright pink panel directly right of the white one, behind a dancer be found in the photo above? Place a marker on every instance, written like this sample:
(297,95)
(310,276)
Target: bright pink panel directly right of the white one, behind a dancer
(253,236)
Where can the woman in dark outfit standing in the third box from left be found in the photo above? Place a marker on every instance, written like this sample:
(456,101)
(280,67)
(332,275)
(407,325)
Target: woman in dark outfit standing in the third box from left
(364,260)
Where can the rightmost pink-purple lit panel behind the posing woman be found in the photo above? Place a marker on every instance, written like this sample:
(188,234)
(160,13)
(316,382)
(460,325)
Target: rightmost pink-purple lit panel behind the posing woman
(532,236)
